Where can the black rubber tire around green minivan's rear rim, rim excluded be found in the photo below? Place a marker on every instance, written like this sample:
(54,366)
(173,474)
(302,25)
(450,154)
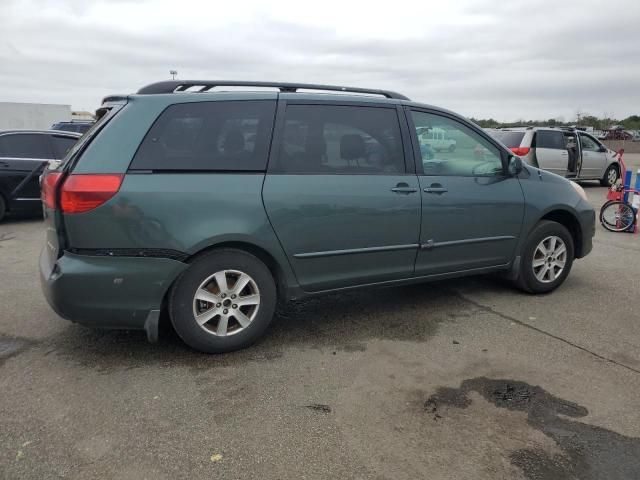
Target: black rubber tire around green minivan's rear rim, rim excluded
(181,301)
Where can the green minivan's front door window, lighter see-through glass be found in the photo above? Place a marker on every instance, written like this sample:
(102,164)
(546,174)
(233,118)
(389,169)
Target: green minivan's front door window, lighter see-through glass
(450,148)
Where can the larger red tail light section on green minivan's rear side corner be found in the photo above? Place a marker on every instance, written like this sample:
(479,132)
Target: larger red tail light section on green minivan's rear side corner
(83,192)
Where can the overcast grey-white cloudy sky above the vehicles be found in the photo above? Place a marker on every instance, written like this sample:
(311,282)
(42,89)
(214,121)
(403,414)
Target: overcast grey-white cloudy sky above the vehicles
(508,60)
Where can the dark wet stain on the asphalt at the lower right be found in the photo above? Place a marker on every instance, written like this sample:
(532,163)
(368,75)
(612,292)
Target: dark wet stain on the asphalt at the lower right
(588,452)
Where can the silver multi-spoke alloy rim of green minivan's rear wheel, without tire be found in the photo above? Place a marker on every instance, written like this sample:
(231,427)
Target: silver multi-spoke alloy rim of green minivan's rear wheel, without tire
(226,303)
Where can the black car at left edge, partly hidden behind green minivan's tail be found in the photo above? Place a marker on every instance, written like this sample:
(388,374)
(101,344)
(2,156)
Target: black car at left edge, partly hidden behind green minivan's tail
(23,156)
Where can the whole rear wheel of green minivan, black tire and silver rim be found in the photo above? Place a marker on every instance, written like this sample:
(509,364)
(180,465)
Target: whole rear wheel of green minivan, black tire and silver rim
(244,323)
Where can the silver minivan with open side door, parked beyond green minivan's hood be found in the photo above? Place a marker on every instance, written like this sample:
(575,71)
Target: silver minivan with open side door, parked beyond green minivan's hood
(567,152)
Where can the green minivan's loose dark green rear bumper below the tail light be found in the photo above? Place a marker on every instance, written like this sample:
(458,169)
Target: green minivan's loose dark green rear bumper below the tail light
(107,292)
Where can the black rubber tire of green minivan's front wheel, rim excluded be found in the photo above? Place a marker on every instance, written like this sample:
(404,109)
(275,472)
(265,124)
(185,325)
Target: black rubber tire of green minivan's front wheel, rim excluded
(528,280)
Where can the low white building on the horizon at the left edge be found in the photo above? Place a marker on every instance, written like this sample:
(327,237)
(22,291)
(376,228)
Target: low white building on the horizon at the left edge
(32,115)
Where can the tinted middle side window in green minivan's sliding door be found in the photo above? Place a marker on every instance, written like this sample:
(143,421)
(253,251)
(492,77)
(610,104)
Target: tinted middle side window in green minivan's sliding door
(340,139)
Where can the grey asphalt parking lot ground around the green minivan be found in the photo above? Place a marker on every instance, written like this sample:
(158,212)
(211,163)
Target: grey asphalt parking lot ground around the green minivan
(464,379)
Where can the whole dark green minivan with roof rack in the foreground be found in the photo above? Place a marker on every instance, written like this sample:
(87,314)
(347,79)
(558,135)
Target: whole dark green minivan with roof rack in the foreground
(214,205)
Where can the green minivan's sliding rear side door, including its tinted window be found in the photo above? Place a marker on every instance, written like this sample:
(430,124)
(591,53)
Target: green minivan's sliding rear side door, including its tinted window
(339,195)
